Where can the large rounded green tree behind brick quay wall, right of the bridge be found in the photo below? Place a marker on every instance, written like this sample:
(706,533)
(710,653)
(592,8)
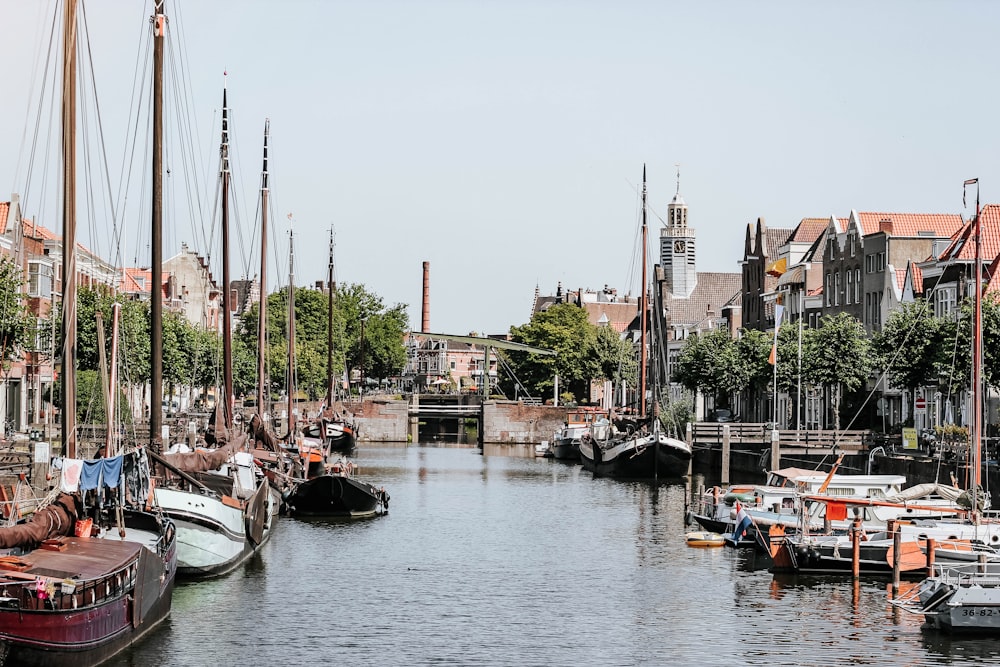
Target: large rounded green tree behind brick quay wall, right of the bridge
(564,329)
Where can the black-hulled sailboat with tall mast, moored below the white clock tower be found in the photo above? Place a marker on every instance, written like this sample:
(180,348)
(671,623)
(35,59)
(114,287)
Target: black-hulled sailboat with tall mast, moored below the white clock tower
(638,448)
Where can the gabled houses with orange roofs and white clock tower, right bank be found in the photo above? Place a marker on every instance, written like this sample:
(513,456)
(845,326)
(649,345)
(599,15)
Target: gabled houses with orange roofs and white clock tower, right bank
(865,264)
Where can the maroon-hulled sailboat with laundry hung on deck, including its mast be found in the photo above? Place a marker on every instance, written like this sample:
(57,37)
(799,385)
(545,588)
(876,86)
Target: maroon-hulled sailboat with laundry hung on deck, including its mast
(92,571)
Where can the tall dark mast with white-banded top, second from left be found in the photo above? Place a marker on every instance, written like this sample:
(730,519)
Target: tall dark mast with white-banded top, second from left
(156,239)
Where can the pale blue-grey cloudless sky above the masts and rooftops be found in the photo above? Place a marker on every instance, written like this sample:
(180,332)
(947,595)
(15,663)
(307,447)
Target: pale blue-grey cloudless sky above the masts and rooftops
(503,142)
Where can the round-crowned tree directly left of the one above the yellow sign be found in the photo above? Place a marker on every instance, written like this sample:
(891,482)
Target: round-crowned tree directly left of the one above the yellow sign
(838,357)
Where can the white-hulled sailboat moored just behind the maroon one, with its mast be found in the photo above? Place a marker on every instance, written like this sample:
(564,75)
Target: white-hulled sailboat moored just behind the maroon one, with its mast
(219,498)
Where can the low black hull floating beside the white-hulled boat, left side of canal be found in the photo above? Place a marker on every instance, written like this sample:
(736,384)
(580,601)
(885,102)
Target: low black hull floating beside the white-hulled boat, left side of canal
(337,496)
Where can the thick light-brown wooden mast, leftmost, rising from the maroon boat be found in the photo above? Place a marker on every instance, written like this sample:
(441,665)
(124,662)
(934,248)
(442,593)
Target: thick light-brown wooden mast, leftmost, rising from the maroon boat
(68,416)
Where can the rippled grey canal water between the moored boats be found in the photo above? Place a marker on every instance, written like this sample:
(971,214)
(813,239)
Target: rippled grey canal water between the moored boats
(503,560)
